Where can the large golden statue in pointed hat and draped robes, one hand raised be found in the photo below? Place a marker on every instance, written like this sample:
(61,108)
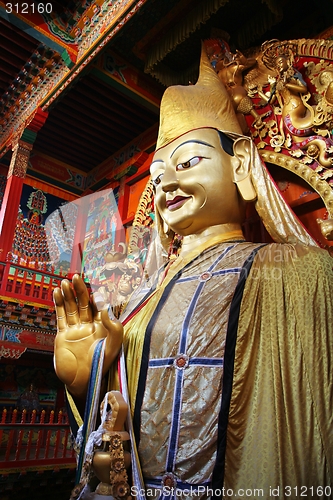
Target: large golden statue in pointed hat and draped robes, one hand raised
(228,354)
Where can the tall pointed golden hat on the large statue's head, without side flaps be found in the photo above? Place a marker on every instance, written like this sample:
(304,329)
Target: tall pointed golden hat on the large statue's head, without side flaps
(203,105)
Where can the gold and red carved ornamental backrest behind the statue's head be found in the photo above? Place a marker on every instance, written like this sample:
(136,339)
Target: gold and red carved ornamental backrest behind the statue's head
(291,86)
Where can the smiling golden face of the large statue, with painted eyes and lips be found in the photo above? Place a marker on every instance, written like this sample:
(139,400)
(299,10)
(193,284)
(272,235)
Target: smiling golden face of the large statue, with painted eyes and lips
(194,183)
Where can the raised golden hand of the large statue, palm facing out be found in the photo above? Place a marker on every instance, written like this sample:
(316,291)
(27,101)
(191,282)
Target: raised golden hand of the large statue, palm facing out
(80,326)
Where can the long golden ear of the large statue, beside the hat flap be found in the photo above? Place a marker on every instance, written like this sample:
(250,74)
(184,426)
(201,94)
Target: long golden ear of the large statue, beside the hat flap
(241,162)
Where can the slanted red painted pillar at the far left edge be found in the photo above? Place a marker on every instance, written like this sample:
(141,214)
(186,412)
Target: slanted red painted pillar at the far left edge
(12,196)
